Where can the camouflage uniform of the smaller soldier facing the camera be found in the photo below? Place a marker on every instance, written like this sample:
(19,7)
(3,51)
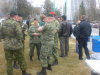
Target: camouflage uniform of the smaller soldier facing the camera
(35,41)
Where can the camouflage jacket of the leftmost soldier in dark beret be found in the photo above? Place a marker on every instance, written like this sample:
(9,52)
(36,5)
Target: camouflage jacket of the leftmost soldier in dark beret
(12,34)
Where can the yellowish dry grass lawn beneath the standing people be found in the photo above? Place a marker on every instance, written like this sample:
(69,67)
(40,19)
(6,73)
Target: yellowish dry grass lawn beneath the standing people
(67,66)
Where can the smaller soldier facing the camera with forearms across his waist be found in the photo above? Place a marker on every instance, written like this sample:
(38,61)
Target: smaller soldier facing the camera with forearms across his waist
(34,39)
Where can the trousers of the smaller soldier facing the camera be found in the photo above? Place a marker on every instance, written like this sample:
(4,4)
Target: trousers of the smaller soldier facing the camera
(32,47)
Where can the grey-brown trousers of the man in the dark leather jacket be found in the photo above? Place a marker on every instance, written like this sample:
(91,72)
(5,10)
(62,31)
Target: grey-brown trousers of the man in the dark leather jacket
(64,45)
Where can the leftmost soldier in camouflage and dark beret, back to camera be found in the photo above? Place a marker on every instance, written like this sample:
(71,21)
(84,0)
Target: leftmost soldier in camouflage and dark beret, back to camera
(13,46)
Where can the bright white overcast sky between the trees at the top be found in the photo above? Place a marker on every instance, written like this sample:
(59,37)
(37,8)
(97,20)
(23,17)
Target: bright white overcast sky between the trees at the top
(58,4)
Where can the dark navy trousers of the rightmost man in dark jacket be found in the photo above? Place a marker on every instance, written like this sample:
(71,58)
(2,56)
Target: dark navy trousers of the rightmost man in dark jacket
(83,44)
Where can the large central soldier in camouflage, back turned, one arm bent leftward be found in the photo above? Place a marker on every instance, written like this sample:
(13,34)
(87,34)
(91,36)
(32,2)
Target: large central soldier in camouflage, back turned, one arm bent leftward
(47,41)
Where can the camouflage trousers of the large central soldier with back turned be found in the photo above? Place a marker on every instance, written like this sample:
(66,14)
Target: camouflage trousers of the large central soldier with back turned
(46,54)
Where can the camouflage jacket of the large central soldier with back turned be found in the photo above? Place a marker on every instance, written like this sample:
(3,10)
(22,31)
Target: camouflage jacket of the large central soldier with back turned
(49,32)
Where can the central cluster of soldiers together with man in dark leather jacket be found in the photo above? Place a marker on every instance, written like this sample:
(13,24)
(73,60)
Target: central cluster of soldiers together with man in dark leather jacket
(46,37)
